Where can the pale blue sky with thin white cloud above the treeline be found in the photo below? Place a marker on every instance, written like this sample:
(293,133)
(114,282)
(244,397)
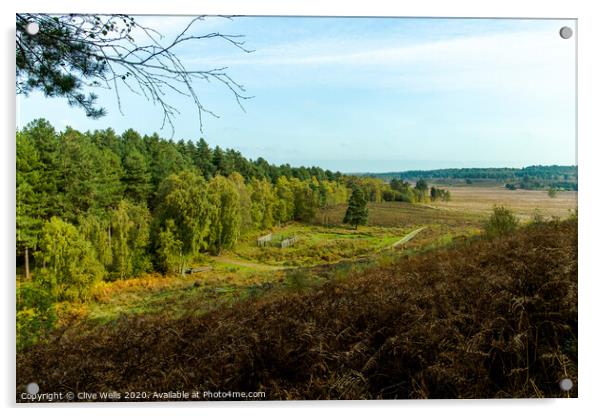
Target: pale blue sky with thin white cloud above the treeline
(365,94)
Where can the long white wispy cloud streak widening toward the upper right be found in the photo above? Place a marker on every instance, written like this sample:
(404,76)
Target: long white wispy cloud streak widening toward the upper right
(525,59)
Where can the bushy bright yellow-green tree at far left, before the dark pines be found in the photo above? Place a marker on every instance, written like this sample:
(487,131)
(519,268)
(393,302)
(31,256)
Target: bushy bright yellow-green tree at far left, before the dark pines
(70,265)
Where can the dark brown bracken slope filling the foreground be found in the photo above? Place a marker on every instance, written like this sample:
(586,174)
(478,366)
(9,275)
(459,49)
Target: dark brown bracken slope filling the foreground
(403,330)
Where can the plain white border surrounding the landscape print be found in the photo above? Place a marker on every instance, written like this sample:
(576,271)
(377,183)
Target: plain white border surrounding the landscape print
(589,158)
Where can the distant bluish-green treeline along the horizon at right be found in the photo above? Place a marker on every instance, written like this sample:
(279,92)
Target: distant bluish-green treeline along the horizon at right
(530,177)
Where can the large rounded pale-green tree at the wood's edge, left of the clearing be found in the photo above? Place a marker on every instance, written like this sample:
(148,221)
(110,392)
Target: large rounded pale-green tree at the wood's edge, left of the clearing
(182,198)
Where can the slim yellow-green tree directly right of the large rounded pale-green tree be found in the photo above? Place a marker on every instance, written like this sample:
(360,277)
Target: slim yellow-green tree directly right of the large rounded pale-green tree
(225,214)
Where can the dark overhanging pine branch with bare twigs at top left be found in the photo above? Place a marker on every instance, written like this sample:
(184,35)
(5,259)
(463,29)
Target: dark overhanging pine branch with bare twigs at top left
(72,54)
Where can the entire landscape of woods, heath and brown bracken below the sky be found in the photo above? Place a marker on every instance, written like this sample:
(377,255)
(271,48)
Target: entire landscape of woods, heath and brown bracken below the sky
(149,264)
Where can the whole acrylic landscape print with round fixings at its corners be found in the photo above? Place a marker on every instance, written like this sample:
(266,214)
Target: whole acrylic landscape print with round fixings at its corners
(295,208)
